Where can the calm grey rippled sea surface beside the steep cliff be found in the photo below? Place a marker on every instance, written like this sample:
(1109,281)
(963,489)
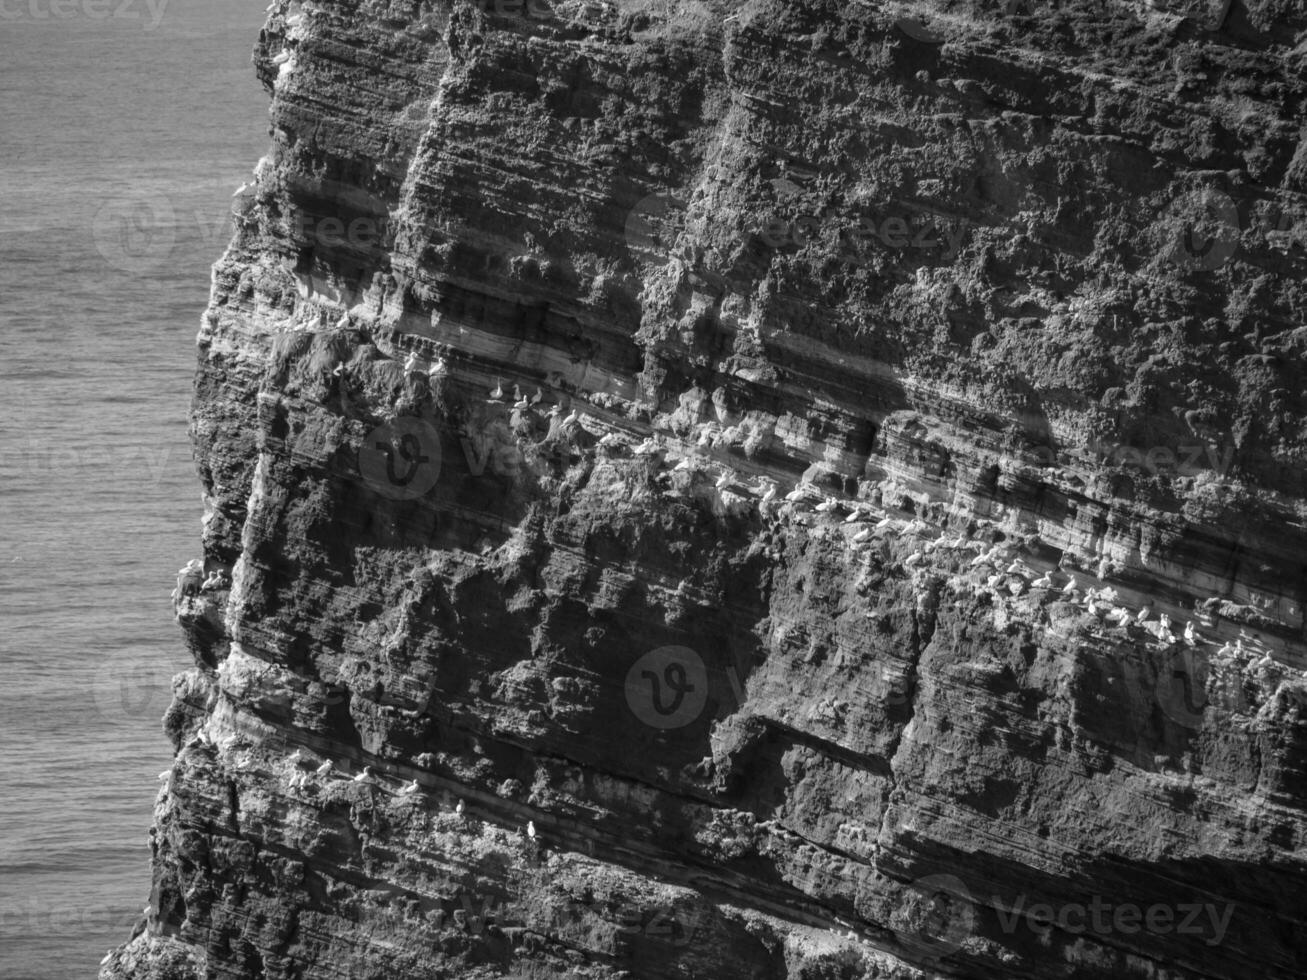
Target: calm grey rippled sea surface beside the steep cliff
(120,150)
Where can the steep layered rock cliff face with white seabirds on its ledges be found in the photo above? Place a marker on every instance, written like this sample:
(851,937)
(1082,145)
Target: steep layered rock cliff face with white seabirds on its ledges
(774,450)
